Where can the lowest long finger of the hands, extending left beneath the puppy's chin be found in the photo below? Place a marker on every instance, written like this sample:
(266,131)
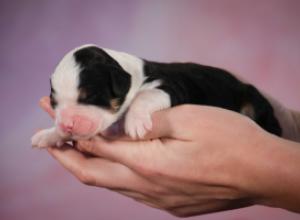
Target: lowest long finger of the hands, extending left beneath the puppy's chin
(98,171)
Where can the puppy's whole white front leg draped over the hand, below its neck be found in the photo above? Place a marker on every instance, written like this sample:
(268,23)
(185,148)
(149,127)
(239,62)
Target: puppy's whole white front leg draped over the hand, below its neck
(138,118)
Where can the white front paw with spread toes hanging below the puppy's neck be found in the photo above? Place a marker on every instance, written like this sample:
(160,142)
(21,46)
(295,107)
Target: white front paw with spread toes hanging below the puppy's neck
(137,124)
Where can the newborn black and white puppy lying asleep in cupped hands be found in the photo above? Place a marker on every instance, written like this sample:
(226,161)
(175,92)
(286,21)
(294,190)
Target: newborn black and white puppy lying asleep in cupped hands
(92,87)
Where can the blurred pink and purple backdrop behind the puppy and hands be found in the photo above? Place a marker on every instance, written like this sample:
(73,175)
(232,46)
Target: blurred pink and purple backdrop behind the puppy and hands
(258,40)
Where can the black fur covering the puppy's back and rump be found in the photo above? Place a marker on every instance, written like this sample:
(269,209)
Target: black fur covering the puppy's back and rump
(189,83)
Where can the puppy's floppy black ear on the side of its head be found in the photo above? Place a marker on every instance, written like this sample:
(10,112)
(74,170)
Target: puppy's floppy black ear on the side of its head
(121,82)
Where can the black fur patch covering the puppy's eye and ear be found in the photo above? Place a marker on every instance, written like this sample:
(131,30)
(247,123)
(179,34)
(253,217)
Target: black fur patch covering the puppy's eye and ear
(102,79)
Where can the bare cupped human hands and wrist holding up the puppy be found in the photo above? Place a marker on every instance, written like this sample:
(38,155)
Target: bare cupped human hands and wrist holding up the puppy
(195,160)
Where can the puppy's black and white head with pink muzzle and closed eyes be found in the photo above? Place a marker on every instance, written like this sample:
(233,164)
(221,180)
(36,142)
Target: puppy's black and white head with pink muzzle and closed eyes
(88,89)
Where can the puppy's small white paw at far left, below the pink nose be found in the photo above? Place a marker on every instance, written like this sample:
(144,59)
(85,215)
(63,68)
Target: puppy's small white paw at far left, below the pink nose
(43,139)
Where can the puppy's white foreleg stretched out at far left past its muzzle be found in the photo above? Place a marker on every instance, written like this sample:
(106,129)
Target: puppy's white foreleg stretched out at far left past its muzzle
(47,138)
